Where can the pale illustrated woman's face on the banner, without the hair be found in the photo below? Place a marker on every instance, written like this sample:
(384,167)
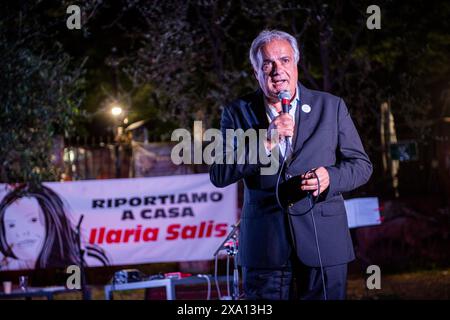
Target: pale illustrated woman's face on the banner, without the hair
(25,228)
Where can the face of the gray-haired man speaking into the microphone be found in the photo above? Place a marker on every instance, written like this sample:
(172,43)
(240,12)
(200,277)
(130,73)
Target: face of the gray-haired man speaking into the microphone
(278,71)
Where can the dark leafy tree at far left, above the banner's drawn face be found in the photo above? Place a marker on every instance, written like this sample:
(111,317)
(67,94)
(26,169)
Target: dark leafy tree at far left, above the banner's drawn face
(39,97)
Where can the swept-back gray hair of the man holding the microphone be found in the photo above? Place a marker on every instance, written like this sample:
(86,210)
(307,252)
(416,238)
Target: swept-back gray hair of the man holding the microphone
(267,36)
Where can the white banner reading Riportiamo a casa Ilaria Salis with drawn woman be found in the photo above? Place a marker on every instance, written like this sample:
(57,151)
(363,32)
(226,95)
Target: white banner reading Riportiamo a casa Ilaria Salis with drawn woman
(125,221)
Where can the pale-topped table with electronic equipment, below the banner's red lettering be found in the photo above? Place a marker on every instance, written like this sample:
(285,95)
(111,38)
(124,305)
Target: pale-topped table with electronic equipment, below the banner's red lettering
(169,284)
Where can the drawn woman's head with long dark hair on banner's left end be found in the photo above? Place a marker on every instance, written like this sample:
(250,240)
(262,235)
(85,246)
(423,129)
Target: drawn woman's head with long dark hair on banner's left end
(36,232)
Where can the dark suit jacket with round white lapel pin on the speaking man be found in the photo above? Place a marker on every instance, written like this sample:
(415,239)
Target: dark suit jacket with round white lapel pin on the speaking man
(326,136)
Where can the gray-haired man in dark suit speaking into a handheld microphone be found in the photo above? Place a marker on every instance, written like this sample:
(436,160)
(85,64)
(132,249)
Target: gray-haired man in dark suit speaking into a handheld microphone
(288,250)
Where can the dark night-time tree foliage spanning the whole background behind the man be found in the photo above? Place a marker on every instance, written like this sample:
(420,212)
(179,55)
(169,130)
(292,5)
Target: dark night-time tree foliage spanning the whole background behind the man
(173,62)
